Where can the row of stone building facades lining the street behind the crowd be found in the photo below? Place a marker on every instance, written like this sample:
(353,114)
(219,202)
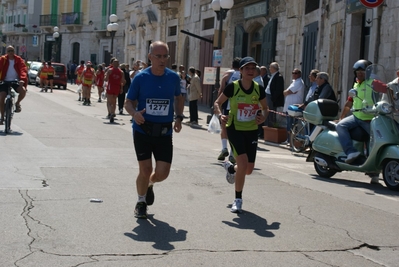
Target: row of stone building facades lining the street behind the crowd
(329,35)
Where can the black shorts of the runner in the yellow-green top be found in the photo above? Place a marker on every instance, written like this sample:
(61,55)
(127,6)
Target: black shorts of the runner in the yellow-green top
(243,142)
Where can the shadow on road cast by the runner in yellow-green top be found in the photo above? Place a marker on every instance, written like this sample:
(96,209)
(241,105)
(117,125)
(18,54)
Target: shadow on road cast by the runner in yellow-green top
(251,221)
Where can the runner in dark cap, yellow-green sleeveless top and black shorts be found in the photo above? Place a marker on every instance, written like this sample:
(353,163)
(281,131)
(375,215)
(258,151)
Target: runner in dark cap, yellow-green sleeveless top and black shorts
(248,109)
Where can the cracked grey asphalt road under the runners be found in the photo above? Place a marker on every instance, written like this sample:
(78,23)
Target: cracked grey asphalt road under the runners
(62,154)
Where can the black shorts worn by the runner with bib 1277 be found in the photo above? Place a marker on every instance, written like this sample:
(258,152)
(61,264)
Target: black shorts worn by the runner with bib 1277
(145,146)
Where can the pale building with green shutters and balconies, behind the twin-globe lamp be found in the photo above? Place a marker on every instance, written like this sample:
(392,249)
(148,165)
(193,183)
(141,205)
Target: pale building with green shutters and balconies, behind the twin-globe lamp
(82,28)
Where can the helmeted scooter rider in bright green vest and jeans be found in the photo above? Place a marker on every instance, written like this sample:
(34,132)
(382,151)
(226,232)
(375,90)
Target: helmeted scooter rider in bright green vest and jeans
(358,118)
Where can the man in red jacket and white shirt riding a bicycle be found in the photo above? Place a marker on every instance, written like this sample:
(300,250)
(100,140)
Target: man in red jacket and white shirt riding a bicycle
(12,67)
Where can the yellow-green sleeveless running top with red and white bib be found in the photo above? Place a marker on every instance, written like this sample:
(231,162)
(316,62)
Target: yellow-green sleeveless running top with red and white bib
(244,108)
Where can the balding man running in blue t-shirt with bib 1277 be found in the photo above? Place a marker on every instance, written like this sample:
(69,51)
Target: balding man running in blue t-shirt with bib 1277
(151,99)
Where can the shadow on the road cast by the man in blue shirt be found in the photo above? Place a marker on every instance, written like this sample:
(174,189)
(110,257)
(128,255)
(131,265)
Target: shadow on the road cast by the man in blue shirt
(158,232)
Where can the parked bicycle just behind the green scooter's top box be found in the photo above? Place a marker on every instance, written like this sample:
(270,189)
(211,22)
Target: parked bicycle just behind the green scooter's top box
(299,137)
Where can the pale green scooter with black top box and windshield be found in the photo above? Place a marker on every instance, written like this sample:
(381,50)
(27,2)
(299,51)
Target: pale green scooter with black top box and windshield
(379,151)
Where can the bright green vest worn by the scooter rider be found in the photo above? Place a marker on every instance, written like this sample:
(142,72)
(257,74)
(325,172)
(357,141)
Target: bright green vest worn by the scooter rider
(364,93)
